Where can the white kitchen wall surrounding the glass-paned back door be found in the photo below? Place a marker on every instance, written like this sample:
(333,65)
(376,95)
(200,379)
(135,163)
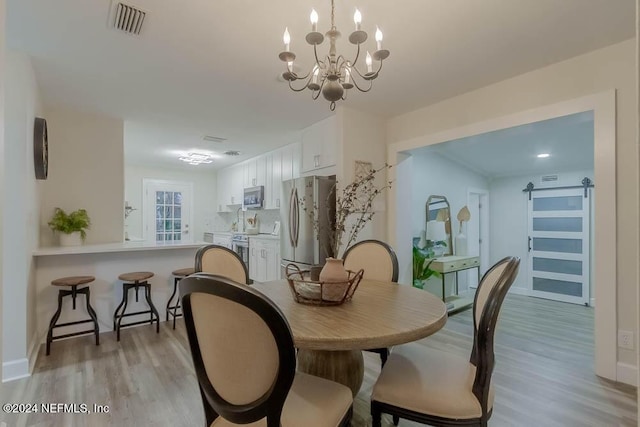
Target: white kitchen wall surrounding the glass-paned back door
(204,196)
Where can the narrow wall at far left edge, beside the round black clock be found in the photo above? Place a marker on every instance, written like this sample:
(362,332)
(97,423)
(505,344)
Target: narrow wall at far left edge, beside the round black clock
(20,221)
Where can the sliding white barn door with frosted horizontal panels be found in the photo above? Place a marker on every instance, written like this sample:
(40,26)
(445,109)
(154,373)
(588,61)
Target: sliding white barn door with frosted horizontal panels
(559,228)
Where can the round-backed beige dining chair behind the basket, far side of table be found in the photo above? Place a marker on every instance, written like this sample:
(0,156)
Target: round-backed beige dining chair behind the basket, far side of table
(379,262)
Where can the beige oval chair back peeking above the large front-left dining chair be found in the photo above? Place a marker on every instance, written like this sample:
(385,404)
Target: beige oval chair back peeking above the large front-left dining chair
(221,261)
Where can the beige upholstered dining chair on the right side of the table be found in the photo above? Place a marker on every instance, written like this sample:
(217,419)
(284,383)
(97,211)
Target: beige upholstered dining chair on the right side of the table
(441,389)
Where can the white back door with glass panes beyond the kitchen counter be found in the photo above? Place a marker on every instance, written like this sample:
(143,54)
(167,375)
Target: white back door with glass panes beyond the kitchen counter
(167,211)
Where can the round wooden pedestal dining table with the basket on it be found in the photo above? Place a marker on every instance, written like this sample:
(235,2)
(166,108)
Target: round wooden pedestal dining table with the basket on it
(330,339)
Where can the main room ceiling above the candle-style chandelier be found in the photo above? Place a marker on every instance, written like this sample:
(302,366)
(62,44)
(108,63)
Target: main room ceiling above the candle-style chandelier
(210,67)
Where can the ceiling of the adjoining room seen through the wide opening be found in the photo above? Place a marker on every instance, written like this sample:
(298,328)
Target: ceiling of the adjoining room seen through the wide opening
(513,151)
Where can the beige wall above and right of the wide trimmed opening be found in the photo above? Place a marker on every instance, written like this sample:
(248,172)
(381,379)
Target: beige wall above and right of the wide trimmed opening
(604,69)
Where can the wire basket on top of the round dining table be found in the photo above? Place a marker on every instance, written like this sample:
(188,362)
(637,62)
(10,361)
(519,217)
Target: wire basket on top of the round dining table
(319,292)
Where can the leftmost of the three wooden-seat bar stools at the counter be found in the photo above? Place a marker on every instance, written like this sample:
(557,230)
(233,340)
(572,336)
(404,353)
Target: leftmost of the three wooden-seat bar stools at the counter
(73,282)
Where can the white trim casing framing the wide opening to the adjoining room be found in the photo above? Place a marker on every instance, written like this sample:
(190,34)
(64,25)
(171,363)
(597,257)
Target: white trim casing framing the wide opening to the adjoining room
(602,107)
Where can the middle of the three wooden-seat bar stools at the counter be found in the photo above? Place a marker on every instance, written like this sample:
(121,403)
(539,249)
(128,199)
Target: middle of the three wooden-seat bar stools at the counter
(135,280)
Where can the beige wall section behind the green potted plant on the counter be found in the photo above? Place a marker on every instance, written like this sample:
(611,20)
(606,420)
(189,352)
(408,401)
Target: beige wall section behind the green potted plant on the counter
(86,170)
